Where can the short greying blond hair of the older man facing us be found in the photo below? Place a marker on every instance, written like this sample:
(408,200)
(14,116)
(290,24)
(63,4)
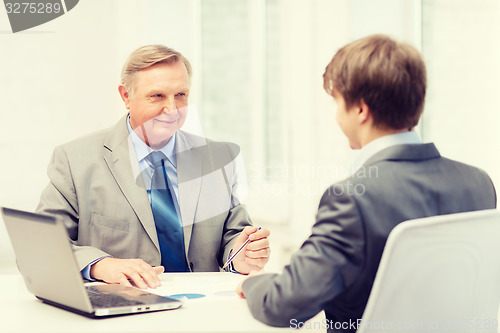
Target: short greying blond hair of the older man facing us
(147,56)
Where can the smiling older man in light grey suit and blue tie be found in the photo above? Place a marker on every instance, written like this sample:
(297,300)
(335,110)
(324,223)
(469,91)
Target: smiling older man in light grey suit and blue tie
(144,193)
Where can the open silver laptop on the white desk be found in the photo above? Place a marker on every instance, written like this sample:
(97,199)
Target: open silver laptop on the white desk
(46,261)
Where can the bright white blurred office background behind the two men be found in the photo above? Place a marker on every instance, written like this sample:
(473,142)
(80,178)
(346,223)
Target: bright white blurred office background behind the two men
(257,81)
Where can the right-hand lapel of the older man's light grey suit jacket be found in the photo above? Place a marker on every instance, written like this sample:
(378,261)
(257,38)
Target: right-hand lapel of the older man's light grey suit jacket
(189,179)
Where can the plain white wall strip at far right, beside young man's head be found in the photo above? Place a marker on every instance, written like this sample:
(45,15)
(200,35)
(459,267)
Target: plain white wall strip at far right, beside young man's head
(462,51)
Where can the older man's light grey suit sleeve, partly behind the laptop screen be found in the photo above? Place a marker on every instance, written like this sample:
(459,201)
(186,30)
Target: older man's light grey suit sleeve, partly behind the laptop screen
(60,198)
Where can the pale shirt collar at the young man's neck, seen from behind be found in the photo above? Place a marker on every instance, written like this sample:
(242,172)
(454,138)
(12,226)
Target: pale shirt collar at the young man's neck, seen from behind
(377,145)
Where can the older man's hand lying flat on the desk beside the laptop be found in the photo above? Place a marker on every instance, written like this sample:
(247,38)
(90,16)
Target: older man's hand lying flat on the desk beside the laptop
(112,270)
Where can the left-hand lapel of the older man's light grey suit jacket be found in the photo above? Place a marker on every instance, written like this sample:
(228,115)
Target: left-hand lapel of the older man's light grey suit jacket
(121,163)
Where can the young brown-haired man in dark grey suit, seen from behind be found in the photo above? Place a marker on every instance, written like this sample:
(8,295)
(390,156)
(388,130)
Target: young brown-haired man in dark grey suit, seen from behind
(379,86)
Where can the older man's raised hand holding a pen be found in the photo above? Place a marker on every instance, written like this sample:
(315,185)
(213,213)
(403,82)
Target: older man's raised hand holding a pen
(256,254)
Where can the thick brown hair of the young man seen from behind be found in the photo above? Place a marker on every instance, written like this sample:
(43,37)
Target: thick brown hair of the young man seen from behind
(389,76)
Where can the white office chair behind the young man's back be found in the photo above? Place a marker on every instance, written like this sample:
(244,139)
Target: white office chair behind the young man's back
(438,274)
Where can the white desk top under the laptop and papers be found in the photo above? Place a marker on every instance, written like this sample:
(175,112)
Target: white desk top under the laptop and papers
(220,311)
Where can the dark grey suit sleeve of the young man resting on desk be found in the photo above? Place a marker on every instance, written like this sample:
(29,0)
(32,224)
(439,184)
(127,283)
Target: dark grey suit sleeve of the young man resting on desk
(329,261)
